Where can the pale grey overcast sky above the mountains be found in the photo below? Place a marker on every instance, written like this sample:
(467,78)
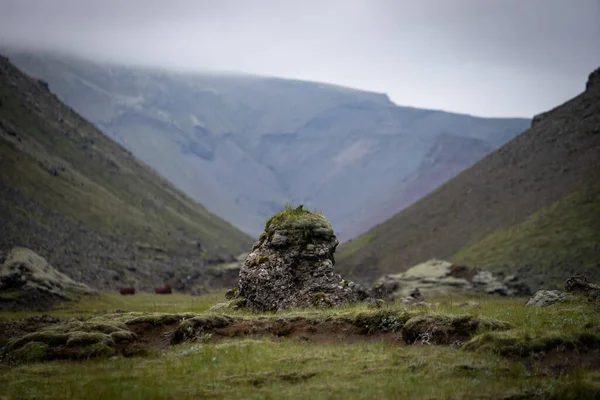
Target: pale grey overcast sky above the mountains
(482,57)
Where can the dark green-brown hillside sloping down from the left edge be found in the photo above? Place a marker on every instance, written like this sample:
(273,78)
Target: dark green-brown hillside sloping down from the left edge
(87,205)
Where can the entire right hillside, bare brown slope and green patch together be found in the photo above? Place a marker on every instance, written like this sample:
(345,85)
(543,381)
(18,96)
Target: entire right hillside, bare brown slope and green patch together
(532,207)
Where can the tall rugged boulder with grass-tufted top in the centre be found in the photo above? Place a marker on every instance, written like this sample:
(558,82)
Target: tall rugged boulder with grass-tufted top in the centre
(292,265)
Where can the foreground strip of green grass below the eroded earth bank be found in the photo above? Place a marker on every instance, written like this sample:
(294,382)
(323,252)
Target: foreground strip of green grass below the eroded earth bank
(266,370)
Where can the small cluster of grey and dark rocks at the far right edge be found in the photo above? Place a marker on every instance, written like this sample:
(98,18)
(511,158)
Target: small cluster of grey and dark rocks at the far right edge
(576,288)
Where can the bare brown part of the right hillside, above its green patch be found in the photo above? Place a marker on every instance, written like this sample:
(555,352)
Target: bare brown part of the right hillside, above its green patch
(558,156)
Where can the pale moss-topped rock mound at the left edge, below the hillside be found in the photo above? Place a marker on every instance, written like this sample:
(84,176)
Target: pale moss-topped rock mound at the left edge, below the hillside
(27,281)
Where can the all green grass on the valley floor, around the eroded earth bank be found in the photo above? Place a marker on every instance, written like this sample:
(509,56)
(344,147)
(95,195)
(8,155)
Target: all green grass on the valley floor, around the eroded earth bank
(250,367)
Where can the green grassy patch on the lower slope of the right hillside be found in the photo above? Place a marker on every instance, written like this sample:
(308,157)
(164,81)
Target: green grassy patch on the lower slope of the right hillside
(555,241)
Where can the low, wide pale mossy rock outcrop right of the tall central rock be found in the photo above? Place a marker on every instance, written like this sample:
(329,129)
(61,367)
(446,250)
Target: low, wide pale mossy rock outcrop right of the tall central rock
(438,278)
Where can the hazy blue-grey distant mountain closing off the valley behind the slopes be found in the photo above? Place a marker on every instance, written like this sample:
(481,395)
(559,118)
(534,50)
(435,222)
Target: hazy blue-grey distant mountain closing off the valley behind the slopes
(243,145)
